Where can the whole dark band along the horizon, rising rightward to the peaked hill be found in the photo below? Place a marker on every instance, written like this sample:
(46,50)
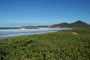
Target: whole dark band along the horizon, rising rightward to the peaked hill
(77,24)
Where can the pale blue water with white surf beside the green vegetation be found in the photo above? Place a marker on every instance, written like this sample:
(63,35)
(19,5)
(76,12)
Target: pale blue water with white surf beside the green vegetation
(21,32)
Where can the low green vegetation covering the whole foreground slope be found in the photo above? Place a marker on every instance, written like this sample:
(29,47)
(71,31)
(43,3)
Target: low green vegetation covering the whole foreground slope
(62,45)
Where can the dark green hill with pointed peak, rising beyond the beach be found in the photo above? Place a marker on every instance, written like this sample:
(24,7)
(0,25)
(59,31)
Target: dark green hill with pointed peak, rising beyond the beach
(77,24)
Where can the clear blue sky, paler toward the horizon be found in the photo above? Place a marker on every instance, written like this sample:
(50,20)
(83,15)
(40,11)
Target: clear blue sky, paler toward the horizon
(43,12)
